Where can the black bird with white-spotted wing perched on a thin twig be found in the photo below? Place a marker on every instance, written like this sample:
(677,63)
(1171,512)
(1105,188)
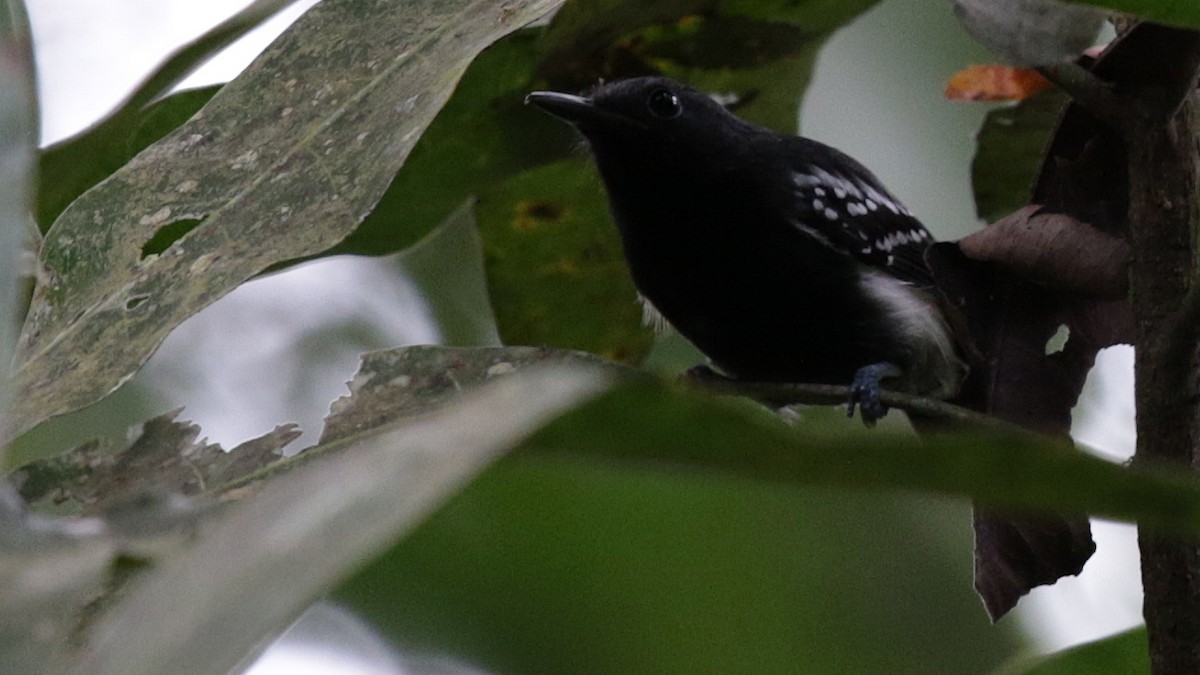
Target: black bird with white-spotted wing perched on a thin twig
(782,259)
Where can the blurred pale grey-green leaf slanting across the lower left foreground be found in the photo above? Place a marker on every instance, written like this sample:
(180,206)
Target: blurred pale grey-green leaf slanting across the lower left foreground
(213,606)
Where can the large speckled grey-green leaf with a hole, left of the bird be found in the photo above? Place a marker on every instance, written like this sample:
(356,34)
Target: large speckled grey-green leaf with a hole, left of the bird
(339,101)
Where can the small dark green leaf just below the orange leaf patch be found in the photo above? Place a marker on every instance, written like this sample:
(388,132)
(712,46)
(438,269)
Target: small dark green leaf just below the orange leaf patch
(1009,153)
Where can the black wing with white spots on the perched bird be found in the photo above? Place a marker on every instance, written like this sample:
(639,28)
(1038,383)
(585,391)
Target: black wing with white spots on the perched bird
(842,205)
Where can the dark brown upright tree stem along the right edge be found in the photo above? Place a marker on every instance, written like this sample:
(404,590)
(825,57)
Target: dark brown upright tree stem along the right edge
(1163,217)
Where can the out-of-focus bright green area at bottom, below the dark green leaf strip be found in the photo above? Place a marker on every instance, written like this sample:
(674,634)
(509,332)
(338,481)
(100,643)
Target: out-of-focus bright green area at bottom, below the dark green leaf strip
(562,566)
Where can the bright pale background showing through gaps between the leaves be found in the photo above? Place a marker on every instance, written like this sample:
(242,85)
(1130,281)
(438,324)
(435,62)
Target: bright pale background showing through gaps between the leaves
(92,53)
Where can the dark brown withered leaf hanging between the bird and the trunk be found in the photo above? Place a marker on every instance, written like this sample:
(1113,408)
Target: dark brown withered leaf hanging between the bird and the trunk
(1025,379)
